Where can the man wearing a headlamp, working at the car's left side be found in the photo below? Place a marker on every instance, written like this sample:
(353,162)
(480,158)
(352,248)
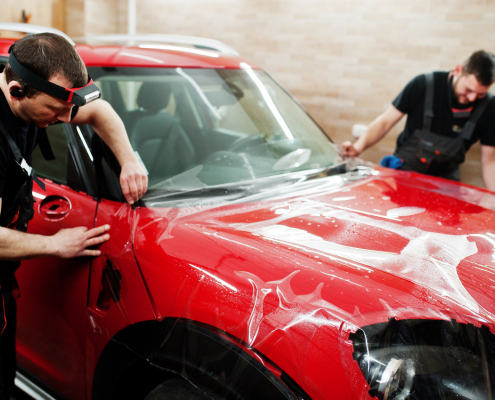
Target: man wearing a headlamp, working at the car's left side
(23,111)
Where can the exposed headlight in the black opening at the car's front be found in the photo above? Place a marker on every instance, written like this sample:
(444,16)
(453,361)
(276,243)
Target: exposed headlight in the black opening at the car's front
(426,359)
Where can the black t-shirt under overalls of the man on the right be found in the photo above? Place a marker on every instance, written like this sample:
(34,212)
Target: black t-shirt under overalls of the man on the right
(450,115)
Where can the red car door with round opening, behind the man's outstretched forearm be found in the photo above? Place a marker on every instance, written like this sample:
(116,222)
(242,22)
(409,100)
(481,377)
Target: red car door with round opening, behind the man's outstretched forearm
(57,352)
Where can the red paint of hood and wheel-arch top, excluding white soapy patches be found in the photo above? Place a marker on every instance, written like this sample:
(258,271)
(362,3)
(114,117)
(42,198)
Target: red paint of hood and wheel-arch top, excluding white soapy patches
(196,246)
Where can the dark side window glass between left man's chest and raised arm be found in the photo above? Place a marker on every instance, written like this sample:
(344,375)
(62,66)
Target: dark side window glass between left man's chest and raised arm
(56,170)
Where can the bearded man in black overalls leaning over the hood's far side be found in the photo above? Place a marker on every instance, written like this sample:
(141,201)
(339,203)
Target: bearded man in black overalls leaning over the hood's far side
(447,112)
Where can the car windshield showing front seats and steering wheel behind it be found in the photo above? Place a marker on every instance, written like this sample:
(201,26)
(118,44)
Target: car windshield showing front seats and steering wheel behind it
(196,128)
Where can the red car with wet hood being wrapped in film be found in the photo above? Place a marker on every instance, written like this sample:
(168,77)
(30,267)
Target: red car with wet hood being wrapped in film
(259,265)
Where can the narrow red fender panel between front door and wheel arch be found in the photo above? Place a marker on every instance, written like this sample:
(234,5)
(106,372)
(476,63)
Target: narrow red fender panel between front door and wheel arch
(117,297)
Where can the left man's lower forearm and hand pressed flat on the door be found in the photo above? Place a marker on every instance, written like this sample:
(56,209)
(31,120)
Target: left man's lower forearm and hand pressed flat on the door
(67,243)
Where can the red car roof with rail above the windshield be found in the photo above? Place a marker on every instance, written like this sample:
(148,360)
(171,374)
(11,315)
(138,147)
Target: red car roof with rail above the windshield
(156,55)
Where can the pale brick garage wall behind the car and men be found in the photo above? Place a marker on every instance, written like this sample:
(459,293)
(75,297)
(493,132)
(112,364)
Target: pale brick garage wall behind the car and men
(344,60)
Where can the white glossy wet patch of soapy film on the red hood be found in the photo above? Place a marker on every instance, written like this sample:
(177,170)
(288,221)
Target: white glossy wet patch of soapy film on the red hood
(430,259)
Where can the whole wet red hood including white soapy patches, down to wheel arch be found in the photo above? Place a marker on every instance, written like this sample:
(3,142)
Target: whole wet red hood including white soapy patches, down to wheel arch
(343,252)
